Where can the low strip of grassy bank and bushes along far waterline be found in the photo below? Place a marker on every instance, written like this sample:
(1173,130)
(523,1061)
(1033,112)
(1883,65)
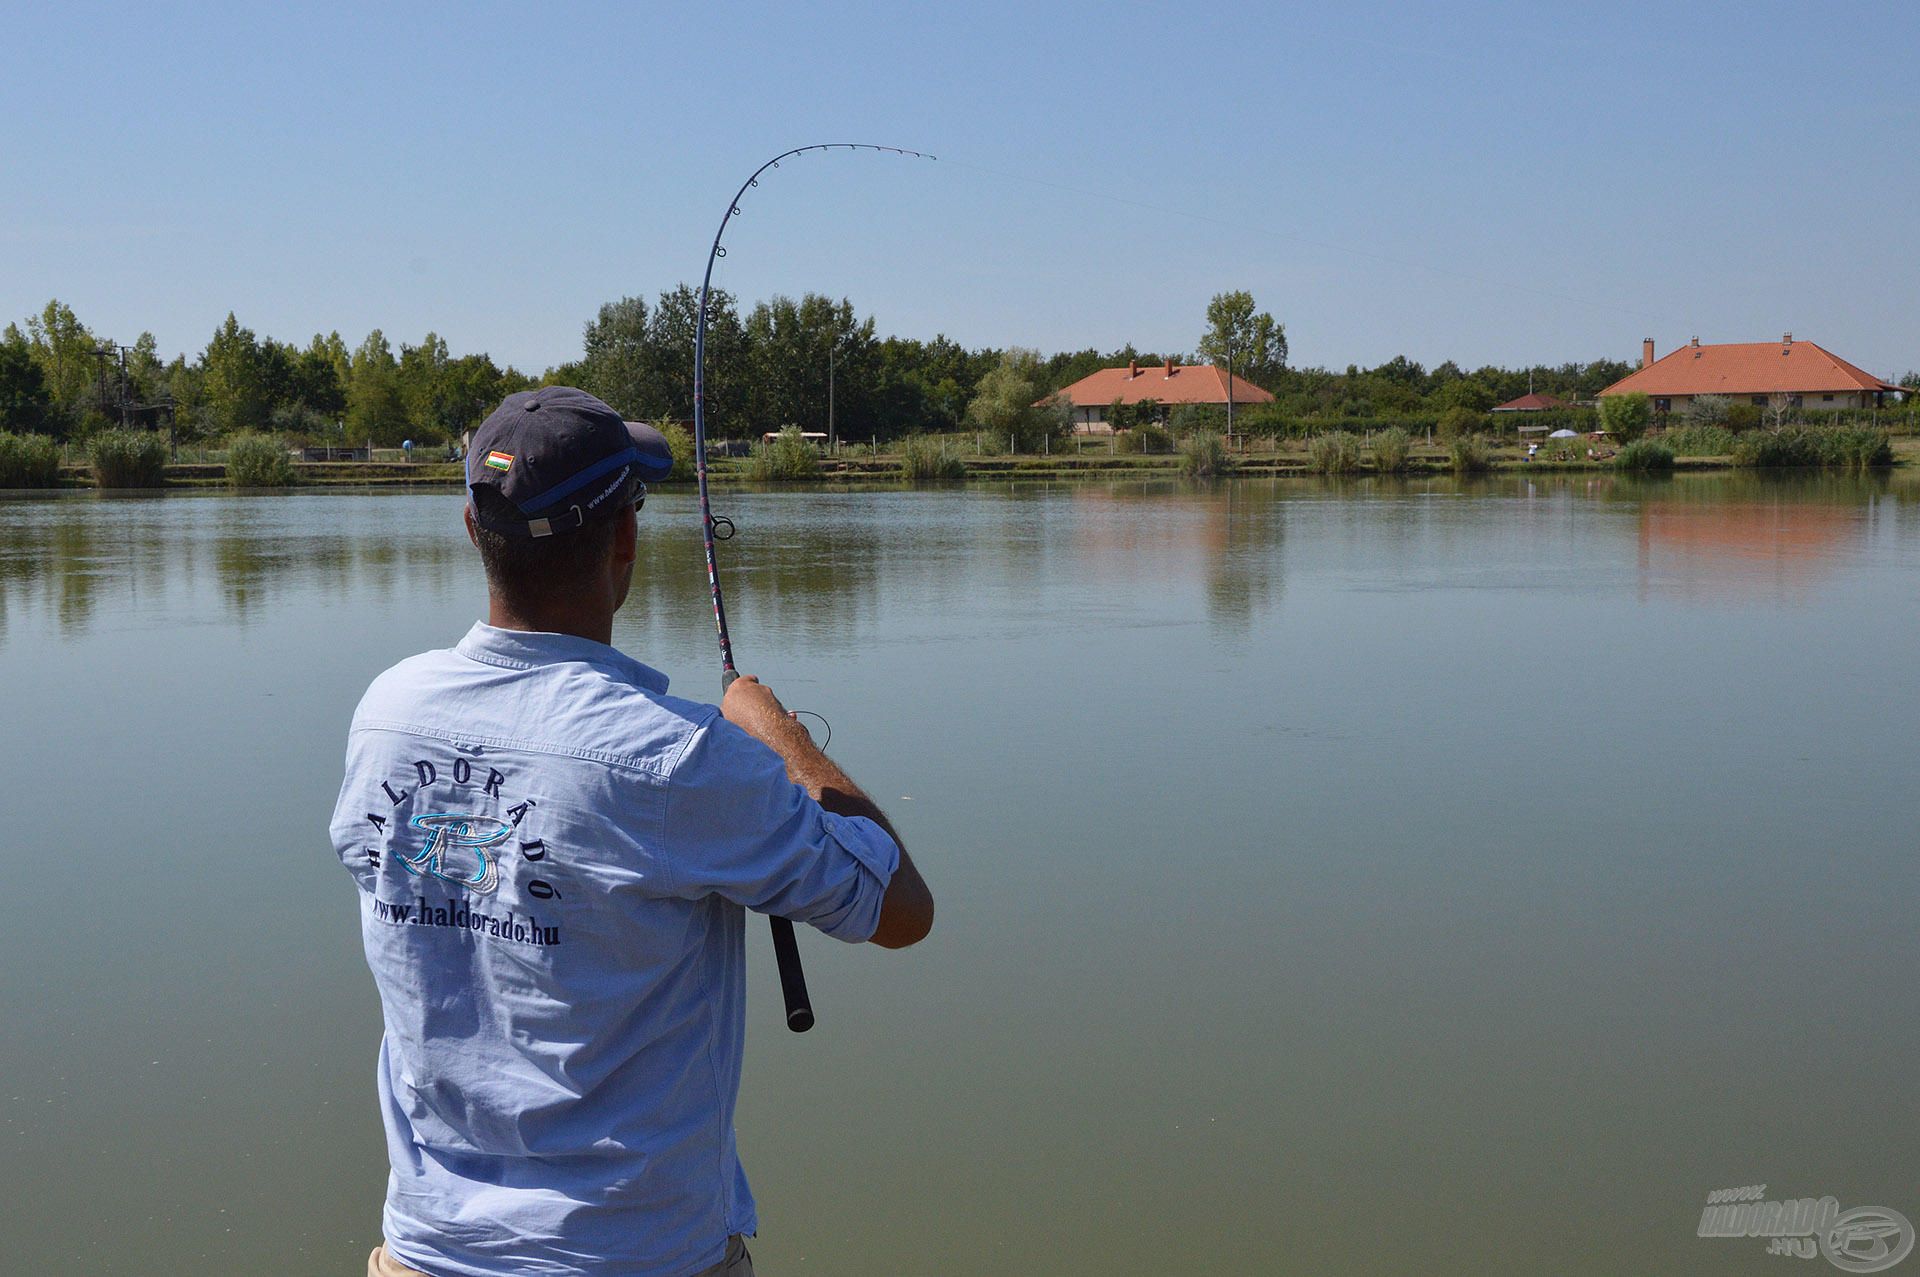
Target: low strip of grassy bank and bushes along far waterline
(135,460)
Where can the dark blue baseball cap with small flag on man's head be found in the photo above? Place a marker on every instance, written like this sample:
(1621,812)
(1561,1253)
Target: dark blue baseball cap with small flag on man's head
(564,460)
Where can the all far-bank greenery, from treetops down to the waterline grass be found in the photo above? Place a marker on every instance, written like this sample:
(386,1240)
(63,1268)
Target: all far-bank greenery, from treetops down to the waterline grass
(924,410)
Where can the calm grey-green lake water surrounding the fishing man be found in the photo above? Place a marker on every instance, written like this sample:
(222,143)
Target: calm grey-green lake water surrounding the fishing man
(1372,879)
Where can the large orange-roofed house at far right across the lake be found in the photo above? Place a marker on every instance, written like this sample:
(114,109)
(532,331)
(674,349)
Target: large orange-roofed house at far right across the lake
(1775,375)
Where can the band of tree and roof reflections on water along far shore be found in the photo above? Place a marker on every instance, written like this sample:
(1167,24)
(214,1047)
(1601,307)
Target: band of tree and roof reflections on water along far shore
(817,566)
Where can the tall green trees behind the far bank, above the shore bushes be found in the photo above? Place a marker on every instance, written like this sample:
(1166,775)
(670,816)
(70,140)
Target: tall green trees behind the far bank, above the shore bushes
(802,362)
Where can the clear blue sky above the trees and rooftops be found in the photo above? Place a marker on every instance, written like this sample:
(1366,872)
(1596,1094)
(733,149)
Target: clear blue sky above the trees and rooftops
(1487,183)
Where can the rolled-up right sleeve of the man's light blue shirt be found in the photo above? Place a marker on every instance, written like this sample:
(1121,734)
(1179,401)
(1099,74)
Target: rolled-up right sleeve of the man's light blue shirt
(738,829)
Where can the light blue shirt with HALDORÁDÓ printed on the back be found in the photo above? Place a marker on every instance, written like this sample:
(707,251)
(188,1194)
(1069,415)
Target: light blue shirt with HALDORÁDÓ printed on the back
(554,863)
